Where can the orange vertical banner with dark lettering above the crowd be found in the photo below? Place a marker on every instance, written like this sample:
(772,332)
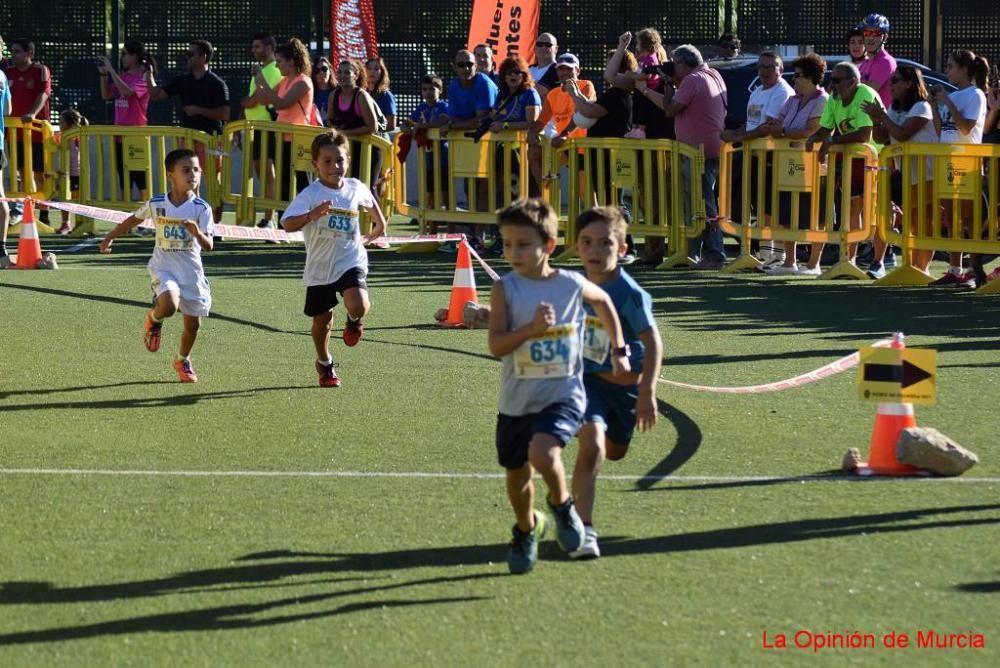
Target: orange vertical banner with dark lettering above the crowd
(508,26)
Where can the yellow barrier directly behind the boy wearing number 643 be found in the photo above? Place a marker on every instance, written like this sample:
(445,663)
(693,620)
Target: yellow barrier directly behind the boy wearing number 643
(114,157)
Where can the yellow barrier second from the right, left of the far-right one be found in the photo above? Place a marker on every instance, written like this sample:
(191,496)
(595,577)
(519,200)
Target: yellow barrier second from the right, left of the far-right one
(776,170)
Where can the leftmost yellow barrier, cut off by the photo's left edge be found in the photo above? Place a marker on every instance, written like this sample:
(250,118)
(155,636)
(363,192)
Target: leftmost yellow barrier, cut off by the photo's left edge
(31,171)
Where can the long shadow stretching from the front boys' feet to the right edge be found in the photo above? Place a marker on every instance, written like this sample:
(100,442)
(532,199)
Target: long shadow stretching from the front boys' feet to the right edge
(801,530)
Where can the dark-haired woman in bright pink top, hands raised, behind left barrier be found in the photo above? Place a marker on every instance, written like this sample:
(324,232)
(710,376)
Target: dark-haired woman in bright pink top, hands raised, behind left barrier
(130,92)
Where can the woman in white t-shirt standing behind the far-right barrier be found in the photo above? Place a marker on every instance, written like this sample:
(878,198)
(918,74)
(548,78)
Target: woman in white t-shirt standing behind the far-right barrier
(959,118)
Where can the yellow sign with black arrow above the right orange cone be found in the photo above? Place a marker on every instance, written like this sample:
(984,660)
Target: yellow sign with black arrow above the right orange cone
(906,375)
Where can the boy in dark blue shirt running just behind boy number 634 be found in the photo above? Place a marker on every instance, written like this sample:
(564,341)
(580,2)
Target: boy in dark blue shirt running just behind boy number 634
(616,404)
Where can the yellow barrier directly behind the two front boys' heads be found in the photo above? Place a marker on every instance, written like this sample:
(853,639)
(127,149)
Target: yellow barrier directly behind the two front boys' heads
(651,171)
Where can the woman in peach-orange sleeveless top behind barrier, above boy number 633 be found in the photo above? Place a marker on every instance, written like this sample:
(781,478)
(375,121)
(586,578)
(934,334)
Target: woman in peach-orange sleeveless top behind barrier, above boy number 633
(293,98)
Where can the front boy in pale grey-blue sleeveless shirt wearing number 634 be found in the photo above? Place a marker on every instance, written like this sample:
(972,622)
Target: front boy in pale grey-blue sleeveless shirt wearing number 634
(536,328)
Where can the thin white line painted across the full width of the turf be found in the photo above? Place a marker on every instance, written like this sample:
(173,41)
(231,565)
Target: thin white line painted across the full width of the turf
(458,475)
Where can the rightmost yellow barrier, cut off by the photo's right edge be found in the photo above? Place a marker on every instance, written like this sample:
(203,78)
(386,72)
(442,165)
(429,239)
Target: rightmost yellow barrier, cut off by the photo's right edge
(950,201)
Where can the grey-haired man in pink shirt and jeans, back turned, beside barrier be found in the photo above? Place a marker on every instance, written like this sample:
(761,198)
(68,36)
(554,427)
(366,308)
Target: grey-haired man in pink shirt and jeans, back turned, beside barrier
(698,108)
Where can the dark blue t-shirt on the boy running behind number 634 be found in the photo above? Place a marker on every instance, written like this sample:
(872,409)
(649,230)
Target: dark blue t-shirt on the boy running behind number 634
(635,310)
